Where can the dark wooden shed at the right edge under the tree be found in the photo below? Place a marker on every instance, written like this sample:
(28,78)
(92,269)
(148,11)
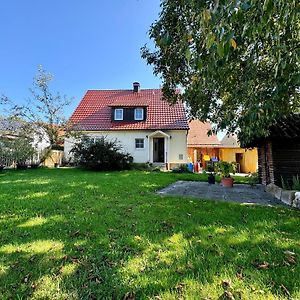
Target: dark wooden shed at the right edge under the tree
(279,153)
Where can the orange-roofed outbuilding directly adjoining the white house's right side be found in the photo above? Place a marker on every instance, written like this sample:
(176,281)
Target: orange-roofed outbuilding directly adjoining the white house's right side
(202,148)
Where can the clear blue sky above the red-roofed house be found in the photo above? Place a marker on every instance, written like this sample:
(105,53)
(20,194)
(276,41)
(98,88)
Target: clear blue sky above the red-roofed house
(90,44)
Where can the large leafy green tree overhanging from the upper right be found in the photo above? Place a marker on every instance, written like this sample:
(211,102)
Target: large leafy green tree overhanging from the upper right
(237,61)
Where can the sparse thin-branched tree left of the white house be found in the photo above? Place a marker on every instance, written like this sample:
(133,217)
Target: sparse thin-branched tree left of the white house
(43,111)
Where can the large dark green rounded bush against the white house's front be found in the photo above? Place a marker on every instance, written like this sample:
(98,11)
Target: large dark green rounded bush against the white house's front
(101,154)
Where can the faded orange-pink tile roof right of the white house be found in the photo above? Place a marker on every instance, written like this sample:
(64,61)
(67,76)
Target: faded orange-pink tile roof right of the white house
(197,136)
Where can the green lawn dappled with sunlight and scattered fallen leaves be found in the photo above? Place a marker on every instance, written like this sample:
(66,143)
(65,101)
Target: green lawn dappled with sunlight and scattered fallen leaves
(73,234)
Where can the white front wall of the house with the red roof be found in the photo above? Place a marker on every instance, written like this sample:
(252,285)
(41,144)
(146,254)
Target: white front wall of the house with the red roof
(177,144)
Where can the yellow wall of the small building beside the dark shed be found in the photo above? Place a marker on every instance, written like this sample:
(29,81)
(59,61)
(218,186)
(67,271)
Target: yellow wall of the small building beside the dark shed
(249,162)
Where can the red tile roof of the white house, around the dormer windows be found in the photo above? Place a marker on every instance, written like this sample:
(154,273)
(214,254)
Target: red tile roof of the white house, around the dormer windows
(94,111)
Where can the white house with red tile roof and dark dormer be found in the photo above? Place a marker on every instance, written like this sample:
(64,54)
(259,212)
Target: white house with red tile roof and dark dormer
(147,127)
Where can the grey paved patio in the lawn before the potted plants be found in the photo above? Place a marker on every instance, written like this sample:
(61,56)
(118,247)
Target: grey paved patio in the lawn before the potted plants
(241,193)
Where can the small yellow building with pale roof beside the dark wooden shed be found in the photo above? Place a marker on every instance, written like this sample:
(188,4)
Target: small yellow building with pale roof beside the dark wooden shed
(231,151)
